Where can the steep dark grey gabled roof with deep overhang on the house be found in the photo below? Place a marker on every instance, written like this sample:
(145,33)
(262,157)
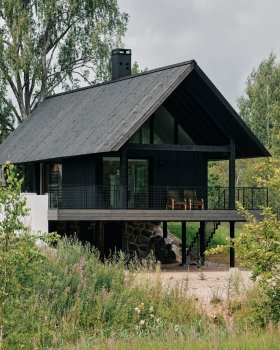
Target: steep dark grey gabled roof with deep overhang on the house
(103,117)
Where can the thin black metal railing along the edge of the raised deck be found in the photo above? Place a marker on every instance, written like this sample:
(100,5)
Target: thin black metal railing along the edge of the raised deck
(153,197)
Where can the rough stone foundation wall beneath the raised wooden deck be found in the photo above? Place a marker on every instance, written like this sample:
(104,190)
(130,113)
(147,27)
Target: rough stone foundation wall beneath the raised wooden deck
(143,237)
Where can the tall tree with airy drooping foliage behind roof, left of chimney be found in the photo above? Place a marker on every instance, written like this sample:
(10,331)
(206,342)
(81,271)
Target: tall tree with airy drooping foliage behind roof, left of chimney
(52,44)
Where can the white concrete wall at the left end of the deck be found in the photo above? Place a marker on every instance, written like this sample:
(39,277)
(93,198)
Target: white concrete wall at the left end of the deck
(38,216)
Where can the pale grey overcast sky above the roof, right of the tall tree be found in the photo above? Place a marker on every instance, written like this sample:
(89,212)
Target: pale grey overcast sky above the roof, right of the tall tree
(227,38)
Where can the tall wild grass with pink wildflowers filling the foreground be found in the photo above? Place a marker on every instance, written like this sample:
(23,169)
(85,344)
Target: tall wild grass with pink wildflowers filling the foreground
(68,299)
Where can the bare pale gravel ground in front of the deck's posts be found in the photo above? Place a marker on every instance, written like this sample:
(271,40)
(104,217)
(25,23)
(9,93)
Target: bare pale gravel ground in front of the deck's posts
(211,287)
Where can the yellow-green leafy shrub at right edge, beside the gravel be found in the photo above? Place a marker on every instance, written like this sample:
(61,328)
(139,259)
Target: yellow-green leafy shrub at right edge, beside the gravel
(258,247)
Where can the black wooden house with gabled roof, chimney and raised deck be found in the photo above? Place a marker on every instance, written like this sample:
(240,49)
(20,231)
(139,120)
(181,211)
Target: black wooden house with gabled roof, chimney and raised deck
(120,157)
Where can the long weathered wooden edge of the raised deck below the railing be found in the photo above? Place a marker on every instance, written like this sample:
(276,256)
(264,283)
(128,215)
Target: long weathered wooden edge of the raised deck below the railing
(146,215)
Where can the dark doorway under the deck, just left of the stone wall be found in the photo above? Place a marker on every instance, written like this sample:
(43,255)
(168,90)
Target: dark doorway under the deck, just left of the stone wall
(112,238)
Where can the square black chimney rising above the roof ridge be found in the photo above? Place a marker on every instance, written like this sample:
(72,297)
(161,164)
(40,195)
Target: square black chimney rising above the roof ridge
(121,63)
